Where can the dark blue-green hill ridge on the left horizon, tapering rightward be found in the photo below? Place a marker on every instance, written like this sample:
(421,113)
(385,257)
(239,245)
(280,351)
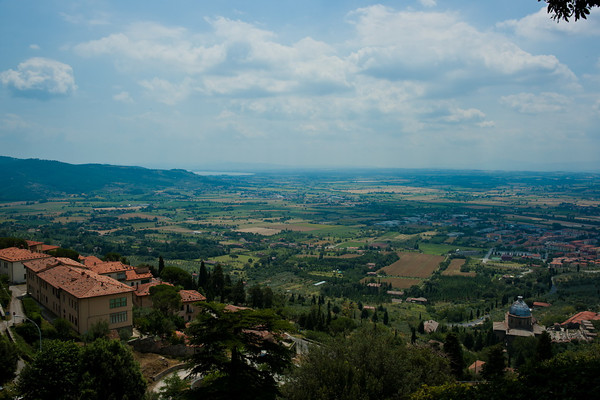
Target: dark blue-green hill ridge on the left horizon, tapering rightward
(34,179)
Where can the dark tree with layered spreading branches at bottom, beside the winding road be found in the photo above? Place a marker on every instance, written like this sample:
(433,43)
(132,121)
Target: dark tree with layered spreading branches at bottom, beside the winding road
(239,353)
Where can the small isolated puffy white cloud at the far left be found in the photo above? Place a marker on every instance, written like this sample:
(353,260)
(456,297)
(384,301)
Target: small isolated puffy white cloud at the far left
(40,77)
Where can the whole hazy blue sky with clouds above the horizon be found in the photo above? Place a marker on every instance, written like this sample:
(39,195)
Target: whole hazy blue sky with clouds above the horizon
(490,85)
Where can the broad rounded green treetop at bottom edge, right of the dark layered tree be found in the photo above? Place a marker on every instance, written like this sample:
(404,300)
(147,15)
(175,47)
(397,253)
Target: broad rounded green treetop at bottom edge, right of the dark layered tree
(371,364)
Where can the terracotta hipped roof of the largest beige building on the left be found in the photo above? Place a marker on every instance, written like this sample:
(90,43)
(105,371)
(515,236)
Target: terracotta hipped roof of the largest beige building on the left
(82,283)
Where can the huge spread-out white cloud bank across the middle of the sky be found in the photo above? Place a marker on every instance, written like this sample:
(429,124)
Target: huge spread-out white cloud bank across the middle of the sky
(400,69)
